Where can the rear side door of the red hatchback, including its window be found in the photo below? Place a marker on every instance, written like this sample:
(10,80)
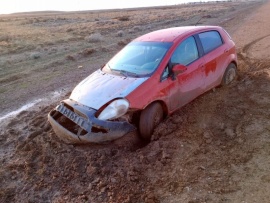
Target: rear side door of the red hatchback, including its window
(215,52)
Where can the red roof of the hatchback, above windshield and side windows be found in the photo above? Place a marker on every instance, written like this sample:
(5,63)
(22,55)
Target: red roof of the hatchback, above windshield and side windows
(170,34)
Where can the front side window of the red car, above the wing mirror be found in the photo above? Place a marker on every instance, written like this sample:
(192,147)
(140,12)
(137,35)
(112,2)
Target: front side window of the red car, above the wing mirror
(186,52)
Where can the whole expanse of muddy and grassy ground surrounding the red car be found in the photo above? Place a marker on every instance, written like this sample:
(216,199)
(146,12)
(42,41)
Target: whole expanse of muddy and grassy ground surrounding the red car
(215,149)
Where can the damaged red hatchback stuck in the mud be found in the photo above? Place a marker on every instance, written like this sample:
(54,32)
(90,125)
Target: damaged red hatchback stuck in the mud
(146,81)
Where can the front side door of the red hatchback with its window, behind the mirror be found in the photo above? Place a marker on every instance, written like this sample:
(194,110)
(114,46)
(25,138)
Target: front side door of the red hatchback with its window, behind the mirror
(189,84)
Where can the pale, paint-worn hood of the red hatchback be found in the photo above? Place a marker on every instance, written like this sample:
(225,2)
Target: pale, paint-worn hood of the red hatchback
(100,88)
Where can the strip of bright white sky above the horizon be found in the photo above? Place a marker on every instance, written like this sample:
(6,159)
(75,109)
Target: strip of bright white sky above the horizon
(14,6)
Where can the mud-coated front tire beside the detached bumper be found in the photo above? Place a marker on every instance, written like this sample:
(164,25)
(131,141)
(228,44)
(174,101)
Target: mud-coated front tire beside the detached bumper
(150,117)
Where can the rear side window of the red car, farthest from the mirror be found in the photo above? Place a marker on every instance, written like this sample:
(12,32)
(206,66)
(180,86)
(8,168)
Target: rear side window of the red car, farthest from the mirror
(210,40)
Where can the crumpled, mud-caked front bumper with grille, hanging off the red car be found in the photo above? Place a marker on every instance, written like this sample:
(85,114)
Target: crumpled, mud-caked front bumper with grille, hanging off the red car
(74,123)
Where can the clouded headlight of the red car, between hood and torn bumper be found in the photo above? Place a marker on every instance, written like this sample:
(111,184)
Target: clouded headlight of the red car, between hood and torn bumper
(114,110)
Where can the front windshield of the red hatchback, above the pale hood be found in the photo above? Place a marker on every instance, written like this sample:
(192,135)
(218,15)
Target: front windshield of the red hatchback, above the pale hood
(137,59)
